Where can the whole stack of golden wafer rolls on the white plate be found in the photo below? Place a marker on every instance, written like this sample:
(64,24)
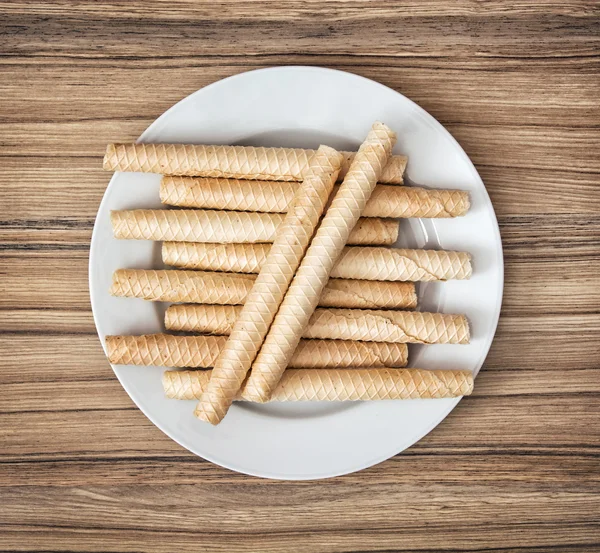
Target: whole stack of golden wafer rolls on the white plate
(244,286)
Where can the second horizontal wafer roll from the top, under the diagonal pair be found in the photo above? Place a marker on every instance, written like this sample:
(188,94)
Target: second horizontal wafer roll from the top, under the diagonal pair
(274,197)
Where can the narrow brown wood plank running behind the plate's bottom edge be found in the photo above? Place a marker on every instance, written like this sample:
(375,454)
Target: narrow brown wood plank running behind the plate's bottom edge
(541,472)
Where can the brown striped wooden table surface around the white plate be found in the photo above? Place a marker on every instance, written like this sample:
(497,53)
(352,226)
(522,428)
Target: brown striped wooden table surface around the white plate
(514,468)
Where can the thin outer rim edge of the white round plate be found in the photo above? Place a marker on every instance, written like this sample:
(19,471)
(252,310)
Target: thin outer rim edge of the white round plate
(155,126)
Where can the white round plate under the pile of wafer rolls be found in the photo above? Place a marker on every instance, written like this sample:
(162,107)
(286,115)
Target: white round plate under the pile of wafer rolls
(305,107)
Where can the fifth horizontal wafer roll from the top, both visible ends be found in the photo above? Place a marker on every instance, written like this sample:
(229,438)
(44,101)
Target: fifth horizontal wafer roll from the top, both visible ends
(233,289)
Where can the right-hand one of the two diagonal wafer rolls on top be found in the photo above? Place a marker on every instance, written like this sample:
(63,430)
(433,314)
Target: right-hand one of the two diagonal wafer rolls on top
(312,276)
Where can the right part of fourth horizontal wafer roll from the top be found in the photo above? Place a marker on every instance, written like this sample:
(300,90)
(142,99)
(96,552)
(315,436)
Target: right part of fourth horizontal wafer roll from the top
(402,264)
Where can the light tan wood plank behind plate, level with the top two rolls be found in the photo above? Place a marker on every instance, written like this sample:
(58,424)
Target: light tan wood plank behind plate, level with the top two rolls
(38,188)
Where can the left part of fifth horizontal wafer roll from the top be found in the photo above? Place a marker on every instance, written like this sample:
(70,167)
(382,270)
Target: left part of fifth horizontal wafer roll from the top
(182,286)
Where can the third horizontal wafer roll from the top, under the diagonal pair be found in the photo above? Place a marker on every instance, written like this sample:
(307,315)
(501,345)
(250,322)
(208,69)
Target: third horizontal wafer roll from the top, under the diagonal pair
(227,226)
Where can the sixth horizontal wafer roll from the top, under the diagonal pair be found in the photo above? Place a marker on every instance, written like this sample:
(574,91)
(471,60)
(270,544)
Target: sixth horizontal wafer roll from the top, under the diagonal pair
(402,327)
